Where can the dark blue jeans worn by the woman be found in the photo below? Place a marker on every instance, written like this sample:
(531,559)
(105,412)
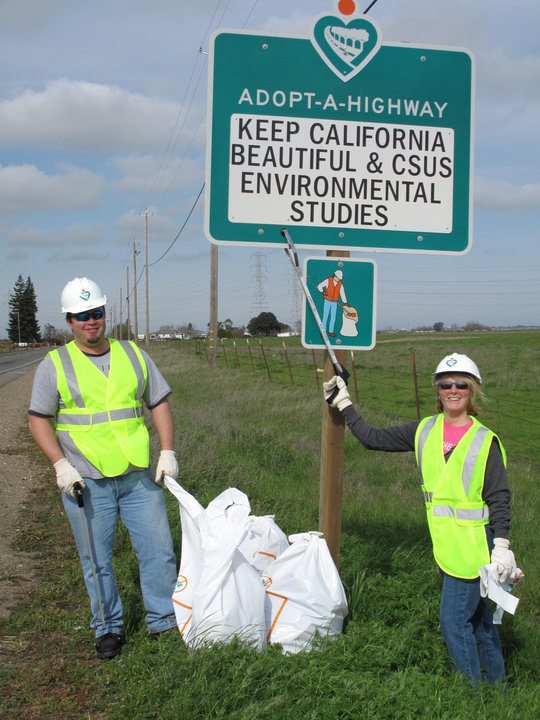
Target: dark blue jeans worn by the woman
(468,630)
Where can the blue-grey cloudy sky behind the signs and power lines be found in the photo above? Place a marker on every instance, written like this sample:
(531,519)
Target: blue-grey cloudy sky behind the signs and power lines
(103,121)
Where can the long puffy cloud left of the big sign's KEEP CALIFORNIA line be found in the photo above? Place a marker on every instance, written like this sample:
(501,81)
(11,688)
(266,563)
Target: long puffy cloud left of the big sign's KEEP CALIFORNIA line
(86,117)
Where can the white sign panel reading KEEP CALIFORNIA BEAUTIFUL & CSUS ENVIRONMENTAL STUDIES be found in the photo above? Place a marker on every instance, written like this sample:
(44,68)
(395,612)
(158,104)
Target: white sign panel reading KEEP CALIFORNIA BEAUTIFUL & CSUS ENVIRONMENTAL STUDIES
(335,173)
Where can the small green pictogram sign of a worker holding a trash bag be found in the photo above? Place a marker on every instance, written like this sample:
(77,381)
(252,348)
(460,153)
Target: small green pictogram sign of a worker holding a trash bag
(343,291)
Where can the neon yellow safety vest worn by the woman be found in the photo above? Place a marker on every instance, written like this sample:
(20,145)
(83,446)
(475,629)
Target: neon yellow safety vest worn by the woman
(452,489)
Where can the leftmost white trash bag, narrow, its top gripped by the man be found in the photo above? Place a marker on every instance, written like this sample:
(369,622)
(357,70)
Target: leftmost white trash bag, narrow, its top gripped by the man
(191,556)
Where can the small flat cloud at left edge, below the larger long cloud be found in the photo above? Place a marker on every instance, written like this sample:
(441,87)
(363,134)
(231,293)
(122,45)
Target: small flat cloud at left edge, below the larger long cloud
(25,188)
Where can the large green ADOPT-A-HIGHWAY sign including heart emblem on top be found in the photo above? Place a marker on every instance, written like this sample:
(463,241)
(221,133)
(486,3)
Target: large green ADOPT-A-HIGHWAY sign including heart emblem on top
(346,141)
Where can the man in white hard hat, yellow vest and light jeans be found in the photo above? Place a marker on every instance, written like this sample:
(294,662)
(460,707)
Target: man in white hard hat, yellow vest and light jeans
(94,389)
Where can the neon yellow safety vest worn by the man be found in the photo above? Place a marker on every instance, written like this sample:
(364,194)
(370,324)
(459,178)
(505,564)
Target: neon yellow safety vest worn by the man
(103,416)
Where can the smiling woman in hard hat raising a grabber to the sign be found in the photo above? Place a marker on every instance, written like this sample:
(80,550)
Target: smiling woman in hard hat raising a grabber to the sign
(467,501)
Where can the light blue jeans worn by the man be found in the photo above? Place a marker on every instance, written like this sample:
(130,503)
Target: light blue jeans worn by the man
(141,505)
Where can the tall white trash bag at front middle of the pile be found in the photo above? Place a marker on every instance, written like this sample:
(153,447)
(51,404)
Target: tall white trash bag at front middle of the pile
(229,598)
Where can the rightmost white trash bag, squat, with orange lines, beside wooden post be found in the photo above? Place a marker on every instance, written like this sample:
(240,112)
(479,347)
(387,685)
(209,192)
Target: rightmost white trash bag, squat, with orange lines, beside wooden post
(306,594)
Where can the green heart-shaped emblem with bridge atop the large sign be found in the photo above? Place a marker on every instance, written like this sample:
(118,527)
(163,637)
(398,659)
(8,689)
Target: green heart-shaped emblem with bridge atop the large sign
(346,47)
